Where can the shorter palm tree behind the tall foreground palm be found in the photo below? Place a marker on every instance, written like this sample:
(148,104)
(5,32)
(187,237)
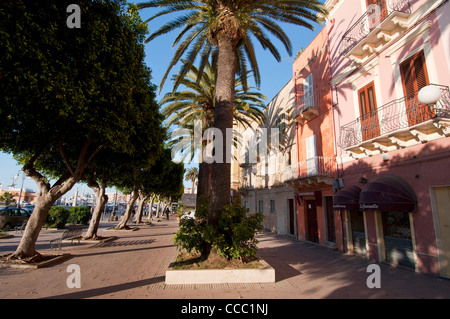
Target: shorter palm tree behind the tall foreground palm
(196,103)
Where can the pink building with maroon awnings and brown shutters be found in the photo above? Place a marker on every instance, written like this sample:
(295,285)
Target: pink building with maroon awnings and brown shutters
(393,152)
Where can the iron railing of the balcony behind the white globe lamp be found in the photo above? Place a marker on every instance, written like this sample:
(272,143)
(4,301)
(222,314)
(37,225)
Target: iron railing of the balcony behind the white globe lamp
(394,116)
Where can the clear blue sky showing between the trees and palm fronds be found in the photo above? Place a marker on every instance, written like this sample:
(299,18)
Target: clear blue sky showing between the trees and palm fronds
(274,75)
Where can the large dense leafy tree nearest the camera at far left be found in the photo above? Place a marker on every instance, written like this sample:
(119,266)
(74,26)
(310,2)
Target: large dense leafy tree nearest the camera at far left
(67,94)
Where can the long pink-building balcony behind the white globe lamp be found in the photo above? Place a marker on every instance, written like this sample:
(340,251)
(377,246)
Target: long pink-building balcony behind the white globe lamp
(397,124)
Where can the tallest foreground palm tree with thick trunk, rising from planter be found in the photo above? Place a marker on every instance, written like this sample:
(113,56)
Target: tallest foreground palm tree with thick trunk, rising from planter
(228,26)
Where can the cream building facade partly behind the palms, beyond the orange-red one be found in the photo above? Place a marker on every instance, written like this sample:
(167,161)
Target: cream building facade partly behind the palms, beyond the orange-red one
(270,160)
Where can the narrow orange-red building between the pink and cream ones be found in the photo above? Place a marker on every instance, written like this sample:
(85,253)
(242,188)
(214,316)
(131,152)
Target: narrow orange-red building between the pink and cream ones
(316,166)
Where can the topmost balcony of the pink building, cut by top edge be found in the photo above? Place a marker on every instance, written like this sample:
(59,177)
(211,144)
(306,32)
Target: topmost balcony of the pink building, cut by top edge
(382,22)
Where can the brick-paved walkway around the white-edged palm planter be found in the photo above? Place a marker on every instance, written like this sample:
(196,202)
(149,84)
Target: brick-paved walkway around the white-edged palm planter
(133,266)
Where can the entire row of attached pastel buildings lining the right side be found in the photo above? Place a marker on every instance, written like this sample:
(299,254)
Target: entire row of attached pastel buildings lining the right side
(365,168)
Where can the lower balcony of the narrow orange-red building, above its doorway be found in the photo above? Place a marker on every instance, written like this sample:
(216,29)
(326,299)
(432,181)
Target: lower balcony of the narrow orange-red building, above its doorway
(311,173)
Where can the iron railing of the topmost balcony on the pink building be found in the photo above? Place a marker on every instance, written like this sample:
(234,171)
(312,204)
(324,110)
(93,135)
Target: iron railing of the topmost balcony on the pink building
(376,13)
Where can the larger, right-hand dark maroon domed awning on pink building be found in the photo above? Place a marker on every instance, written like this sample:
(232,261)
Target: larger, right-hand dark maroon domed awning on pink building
(388,193)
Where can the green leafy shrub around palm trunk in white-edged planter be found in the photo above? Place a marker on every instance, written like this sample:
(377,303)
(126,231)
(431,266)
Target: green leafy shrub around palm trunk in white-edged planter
(233,238)
